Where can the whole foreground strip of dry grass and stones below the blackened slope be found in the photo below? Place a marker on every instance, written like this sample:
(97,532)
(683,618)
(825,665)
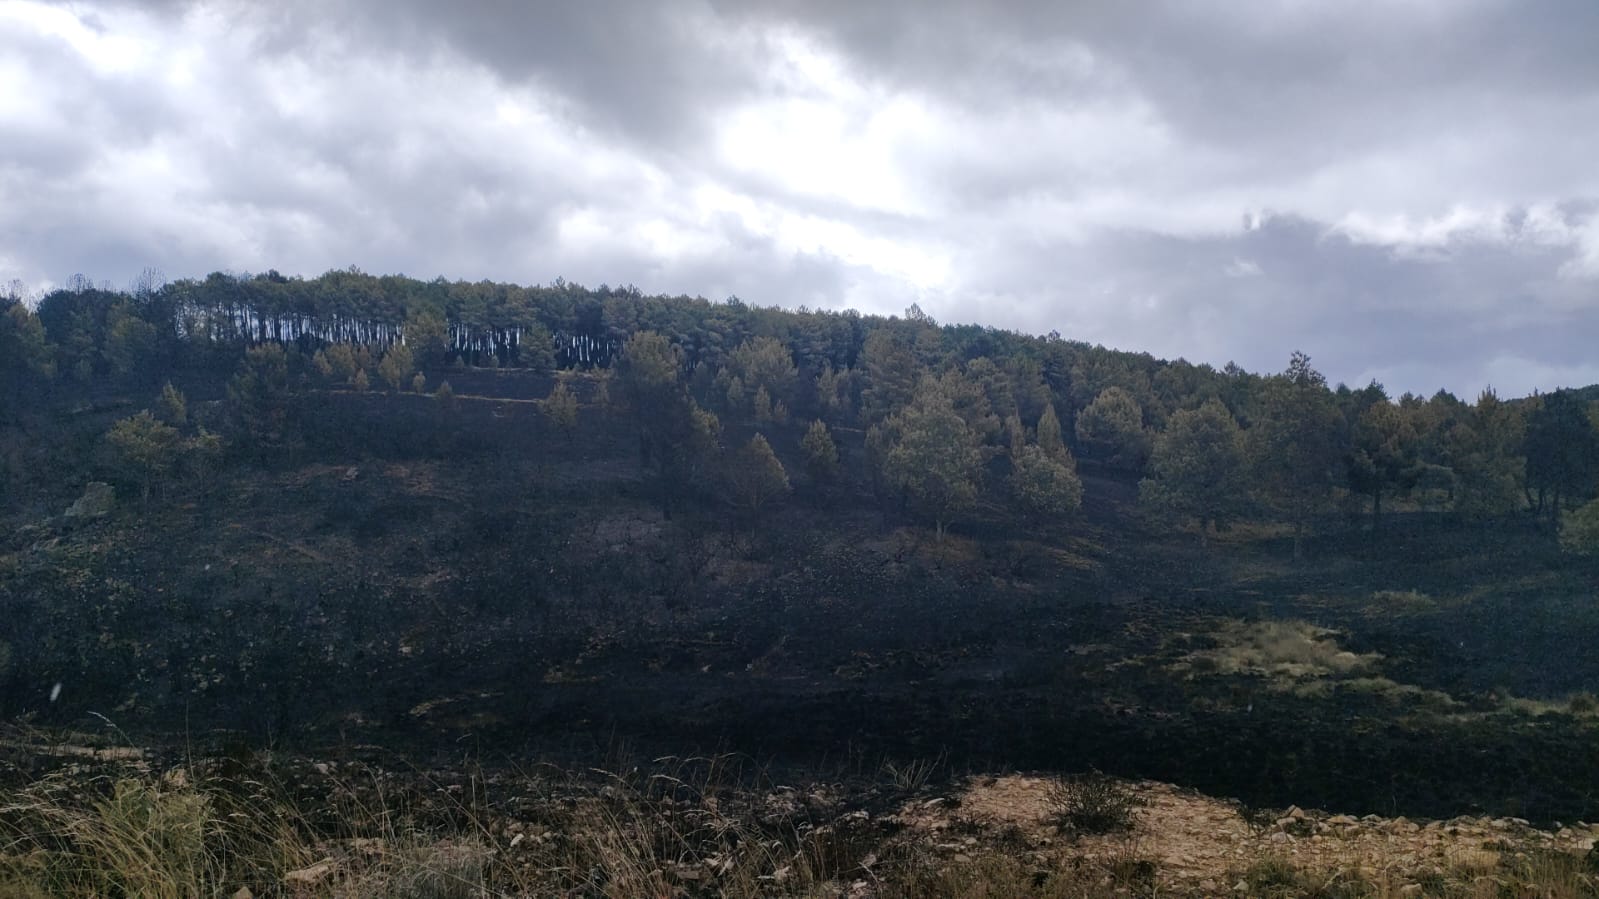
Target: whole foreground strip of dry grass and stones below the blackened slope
(86,823)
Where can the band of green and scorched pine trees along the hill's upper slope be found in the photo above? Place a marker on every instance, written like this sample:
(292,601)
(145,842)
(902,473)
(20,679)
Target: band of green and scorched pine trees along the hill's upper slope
(955,417)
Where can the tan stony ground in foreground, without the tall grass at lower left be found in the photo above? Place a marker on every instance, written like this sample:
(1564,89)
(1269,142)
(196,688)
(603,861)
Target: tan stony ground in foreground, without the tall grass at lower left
(688,829)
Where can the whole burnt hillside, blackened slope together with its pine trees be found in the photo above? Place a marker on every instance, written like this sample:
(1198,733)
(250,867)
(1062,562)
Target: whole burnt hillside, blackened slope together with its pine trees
(353,509)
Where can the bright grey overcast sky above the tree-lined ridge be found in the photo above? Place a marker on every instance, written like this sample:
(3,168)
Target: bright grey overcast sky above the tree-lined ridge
(1405,190)
